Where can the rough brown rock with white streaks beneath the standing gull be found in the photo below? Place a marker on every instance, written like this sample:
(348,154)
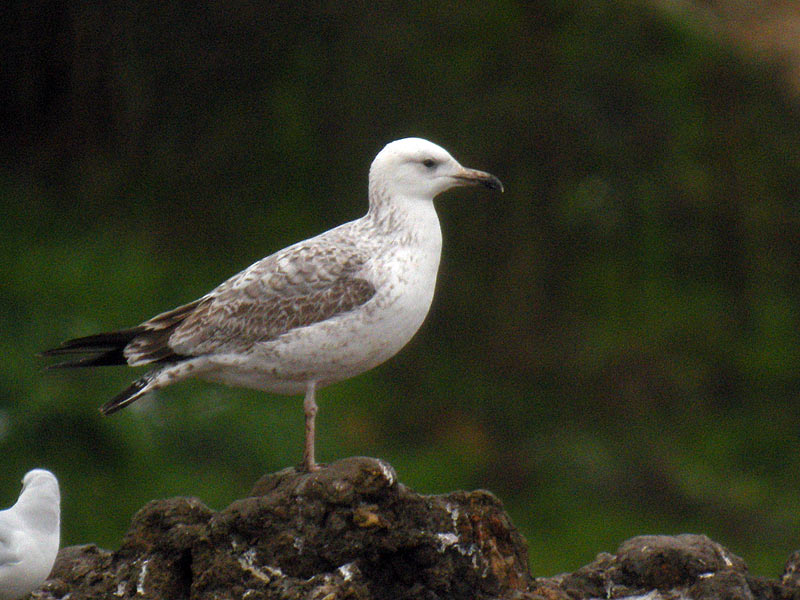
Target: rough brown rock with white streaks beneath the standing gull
(351,531)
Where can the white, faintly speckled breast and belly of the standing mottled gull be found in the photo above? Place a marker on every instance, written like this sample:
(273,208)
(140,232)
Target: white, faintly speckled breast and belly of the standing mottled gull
(403,270)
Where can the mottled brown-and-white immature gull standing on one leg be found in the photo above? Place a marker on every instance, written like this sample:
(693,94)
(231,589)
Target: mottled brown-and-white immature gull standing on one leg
(317,312)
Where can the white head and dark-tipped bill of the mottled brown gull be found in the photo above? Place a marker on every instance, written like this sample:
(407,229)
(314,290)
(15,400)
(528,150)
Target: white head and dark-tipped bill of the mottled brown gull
(417,168)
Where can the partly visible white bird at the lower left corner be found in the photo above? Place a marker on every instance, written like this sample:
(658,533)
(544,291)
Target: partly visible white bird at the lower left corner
(29,535)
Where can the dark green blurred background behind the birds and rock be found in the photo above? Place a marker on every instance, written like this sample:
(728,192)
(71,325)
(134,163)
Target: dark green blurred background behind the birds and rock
(613,348)
